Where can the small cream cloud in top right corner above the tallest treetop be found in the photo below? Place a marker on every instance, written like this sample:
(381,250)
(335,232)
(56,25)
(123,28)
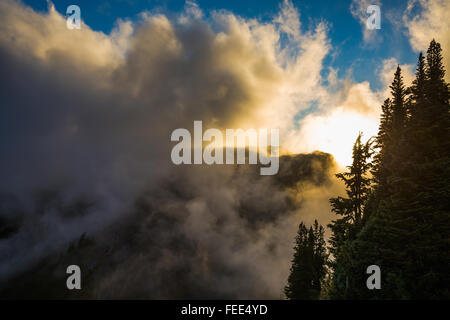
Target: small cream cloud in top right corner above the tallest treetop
(432,21)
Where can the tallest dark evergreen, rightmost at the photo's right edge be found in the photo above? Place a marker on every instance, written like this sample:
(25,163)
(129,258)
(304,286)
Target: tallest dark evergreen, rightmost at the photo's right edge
(430,178)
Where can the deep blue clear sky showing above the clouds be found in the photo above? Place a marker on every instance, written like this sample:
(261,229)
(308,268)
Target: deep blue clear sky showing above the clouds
(351,56)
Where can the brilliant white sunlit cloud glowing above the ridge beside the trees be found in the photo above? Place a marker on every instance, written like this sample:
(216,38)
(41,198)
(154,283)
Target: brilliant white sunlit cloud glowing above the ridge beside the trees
(347,110)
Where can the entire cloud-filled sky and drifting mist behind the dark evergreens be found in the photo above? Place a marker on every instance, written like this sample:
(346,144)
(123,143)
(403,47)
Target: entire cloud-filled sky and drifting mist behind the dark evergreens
(86,118)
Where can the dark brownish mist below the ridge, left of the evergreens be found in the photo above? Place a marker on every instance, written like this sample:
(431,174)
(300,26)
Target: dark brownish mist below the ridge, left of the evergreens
(228,236)
